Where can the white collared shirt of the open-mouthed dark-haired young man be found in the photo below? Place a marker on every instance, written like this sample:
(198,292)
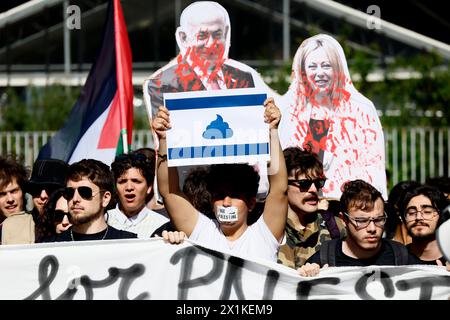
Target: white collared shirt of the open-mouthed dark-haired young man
(143,224)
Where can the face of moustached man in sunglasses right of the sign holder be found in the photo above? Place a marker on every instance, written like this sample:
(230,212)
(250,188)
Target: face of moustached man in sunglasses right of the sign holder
(305,200)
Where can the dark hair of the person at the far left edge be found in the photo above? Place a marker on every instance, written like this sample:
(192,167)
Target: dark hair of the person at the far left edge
(11,168)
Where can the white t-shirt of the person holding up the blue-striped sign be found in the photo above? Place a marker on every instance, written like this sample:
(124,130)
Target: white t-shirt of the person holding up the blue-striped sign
(256,242)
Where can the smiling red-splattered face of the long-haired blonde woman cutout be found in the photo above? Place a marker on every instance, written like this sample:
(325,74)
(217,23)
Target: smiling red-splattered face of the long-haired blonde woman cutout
(319,70)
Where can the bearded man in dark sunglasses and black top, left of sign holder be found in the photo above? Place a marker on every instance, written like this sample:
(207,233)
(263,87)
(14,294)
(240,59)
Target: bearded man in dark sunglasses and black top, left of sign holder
(88,192)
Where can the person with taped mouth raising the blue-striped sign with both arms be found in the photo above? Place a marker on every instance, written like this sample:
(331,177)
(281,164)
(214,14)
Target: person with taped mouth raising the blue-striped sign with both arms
(233,189)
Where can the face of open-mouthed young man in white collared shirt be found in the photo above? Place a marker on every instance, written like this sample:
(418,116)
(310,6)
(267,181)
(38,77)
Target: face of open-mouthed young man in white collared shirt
(132,190)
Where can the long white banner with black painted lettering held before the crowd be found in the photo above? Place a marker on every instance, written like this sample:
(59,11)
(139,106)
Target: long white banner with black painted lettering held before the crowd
(152,269)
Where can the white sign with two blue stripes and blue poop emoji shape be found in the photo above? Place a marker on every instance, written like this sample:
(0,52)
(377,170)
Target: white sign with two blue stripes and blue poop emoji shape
(221,126)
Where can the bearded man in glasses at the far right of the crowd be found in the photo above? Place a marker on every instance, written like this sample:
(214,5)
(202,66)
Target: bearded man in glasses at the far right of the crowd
(422,214)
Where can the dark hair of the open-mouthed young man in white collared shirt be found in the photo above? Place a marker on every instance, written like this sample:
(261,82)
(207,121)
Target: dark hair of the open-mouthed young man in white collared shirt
(138,160)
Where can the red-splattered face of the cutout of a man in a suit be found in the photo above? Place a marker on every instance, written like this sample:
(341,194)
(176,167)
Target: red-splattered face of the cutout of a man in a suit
(207,40)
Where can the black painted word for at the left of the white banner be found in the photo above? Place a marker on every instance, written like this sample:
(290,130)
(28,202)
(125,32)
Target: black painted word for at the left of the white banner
(127,276)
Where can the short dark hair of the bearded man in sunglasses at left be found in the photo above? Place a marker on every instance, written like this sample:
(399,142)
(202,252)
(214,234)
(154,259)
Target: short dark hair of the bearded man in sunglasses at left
(96,171)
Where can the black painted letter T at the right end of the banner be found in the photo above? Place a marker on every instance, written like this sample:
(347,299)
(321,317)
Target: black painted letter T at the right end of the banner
(425,284)
